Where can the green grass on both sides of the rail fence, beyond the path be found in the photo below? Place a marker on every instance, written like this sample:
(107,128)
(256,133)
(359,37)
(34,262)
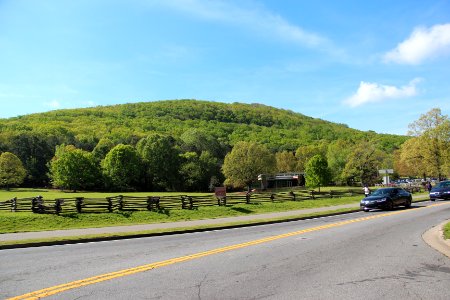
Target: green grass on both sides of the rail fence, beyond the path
(28,221)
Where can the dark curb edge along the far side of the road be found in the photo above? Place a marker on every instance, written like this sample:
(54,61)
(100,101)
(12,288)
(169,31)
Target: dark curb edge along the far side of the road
(142,235)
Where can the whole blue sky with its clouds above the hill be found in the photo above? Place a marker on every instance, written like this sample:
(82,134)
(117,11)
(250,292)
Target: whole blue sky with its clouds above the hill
(373,66)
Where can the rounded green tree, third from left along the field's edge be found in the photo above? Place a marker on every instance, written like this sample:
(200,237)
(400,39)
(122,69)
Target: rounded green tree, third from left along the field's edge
(122,168)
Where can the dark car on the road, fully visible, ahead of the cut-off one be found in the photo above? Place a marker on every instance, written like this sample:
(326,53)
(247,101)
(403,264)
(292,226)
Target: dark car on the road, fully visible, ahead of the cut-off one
(386,198)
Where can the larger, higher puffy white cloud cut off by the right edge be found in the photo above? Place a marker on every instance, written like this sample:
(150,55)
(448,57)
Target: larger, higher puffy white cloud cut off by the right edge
(423,44)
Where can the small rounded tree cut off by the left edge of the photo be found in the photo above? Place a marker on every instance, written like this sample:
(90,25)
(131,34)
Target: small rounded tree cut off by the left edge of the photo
(12,172)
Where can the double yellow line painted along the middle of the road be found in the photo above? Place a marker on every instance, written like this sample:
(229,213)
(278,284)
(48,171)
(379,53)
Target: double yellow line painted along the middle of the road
(108,276)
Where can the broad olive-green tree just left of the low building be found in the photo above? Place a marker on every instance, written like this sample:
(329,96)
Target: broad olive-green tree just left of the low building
(245,162)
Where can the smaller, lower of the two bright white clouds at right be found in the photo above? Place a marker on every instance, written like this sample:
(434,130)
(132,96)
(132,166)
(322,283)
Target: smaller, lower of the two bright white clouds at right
(373,92)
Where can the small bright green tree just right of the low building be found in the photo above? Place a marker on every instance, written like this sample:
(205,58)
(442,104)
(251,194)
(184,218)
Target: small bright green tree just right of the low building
(317,173)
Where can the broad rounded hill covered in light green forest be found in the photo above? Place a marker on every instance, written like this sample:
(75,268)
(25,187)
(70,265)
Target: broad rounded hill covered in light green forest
(278,129)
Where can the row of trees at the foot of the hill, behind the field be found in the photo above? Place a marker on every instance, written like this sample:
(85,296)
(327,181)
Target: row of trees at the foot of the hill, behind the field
(197,160)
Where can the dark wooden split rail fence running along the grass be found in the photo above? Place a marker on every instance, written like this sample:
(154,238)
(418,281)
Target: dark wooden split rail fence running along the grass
(157,203)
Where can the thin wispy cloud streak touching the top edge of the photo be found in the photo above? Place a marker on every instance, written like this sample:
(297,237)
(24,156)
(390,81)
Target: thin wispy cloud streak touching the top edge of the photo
(255,17)
